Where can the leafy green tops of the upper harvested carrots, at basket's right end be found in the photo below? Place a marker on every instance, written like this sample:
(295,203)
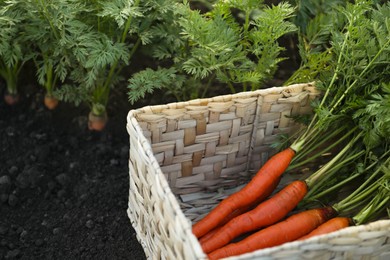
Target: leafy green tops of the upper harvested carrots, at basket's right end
(354,111)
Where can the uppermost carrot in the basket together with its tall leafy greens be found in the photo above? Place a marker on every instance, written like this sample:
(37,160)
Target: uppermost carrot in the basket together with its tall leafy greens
(354,109)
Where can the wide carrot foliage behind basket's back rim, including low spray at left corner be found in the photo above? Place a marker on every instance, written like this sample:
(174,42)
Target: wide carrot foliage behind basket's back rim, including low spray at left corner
(235,44)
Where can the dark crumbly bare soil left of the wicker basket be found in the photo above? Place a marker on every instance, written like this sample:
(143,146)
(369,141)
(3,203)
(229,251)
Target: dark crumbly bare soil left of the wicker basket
(63,188)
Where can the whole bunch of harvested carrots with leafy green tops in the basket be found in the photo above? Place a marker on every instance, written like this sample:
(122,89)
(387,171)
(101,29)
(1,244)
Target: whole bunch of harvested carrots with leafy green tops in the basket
(354,112)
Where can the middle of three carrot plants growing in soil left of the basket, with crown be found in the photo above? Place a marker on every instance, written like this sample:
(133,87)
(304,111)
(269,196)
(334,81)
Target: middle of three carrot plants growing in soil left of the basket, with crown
(48,30)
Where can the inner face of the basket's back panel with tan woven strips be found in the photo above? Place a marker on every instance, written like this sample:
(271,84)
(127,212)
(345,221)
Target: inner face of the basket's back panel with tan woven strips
(205,146)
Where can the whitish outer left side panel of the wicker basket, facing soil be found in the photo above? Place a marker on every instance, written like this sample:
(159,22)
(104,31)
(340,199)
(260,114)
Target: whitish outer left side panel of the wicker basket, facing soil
(161,228)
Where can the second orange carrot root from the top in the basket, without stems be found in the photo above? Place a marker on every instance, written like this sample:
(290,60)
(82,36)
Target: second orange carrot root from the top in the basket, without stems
(265,214)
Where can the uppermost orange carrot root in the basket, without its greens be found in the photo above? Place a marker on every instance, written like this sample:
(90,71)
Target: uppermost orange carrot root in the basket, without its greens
(255,189)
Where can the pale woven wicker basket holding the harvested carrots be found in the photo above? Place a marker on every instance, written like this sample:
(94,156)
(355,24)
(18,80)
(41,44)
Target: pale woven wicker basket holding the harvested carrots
(185,157)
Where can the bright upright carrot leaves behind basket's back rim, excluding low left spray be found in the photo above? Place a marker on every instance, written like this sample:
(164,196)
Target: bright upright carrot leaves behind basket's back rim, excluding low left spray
(237,53)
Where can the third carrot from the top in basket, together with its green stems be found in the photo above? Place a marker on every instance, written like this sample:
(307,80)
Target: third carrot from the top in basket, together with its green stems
(373,194)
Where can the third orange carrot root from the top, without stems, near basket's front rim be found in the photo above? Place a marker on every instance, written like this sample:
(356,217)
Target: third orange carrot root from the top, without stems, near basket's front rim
(288,230)
